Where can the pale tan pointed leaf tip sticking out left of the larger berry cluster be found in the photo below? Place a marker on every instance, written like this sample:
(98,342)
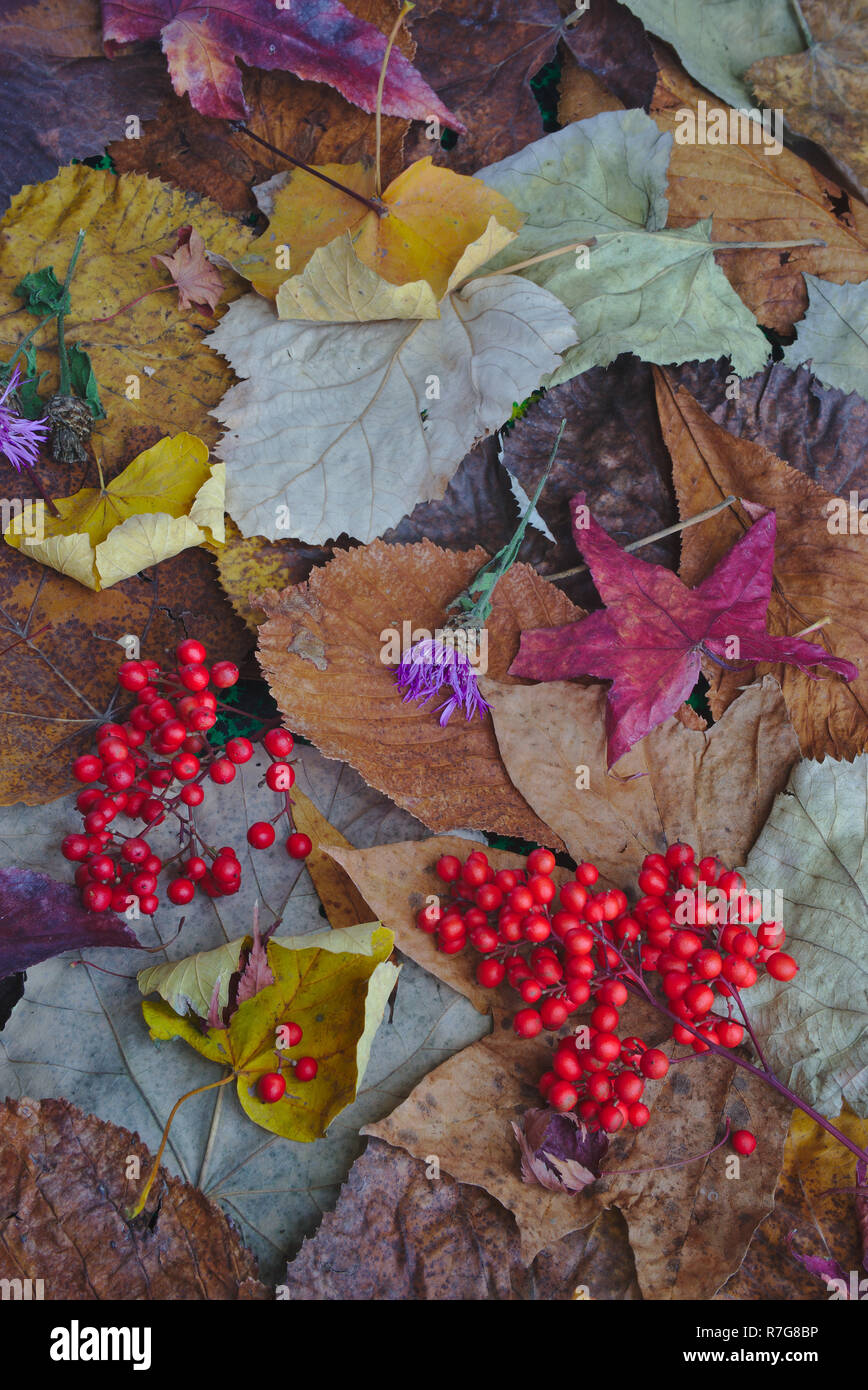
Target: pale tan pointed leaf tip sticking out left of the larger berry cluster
(397,879)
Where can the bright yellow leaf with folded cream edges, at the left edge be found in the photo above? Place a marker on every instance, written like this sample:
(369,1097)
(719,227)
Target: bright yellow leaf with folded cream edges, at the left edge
(163,502)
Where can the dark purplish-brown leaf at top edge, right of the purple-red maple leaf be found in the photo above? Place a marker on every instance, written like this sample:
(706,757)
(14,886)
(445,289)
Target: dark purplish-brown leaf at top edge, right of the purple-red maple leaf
(481,58)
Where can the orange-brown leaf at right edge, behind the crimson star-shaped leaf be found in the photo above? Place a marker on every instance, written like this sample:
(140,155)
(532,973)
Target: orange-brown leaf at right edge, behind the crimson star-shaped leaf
(817,573)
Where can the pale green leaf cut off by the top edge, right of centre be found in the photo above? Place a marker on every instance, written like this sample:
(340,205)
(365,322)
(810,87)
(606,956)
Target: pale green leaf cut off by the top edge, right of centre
(718,55)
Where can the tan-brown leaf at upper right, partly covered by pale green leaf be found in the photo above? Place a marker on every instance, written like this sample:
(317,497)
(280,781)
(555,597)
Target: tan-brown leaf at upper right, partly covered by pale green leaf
(759,197)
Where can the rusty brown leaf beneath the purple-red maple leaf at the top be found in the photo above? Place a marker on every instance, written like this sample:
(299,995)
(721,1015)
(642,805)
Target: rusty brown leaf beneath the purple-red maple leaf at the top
(310,120)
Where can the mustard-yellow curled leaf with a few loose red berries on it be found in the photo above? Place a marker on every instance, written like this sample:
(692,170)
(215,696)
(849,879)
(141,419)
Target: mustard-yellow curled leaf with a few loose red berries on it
(333,985)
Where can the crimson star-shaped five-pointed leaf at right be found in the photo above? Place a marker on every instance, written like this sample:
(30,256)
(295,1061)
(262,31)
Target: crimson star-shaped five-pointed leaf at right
(650,637)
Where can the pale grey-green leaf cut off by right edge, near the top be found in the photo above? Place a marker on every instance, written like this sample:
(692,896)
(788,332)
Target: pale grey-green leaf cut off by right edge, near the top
(834,336)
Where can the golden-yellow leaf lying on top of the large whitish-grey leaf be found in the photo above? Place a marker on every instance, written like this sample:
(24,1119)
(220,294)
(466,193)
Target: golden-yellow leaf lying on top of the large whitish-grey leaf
(439,227)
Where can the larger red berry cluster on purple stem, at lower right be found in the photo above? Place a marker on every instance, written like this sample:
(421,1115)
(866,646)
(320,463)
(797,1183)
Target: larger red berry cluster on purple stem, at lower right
(557,956)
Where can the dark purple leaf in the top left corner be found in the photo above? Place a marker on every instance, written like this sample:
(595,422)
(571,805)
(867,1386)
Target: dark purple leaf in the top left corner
(51,55)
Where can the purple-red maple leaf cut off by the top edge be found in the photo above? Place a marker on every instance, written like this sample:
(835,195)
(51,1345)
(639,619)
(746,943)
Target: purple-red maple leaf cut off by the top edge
(319,41)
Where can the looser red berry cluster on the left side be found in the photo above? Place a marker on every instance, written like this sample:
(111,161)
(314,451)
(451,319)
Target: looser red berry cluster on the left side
(136,774)
